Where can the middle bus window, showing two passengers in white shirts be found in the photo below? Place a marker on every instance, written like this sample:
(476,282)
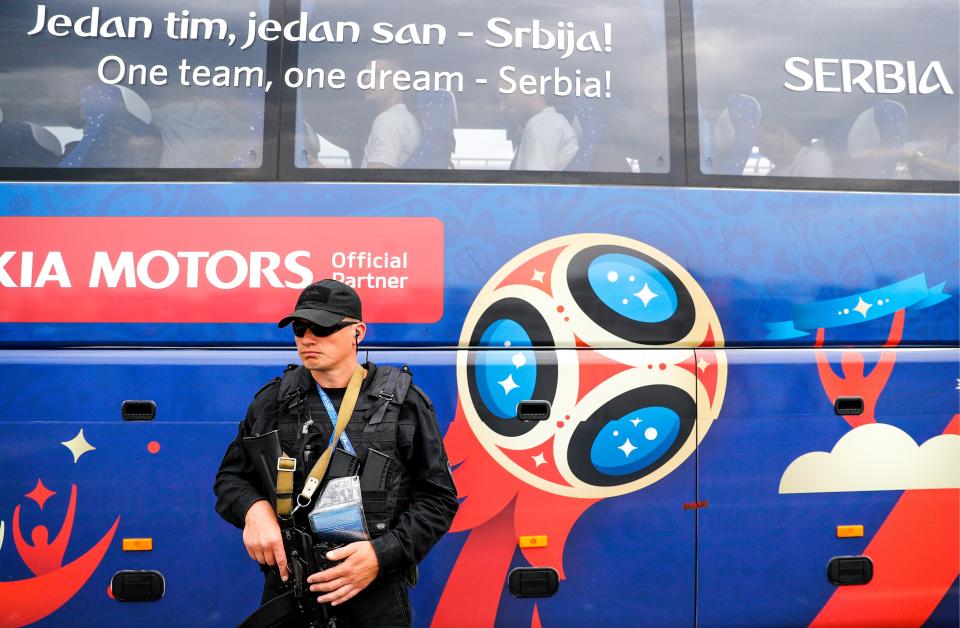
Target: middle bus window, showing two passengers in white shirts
(537,86)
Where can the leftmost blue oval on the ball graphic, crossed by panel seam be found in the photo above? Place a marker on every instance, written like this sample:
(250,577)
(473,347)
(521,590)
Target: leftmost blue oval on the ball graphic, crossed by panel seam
(508,376)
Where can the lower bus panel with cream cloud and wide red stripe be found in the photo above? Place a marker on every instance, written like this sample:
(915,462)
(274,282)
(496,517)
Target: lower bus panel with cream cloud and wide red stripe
(782,471)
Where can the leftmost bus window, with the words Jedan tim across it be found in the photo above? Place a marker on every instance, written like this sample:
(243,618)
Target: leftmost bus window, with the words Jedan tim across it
(58,111)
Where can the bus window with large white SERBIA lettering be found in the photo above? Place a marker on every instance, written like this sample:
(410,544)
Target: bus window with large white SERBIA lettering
(847,89)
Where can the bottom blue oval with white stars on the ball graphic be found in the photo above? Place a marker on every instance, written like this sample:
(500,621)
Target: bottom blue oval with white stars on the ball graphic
(634,441)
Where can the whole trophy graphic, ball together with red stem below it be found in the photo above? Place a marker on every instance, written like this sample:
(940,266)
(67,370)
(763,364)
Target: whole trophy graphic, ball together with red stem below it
(627,349)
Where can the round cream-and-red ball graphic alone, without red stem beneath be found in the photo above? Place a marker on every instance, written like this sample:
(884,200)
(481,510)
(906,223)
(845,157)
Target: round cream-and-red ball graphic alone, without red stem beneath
(603,327)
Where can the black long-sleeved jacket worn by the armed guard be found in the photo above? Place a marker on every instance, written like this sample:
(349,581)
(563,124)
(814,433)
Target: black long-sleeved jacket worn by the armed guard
(407,519)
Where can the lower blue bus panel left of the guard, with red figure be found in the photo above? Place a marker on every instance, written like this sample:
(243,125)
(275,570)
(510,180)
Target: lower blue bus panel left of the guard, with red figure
(62,428)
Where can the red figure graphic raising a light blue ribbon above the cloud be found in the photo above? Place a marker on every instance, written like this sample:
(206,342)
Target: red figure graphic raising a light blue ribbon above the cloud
(854,383)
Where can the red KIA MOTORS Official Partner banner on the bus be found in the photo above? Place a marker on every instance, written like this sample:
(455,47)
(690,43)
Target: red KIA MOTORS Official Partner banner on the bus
(214,269)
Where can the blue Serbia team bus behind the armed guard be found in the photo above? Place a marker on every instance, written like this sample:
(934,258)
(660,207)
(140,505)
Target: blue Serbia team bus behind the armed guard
(680,277)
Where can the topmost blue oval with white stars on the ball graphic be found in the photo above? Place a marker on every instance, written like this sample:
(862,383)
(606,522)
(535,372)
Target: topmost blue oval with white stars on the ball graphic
(632,288)
